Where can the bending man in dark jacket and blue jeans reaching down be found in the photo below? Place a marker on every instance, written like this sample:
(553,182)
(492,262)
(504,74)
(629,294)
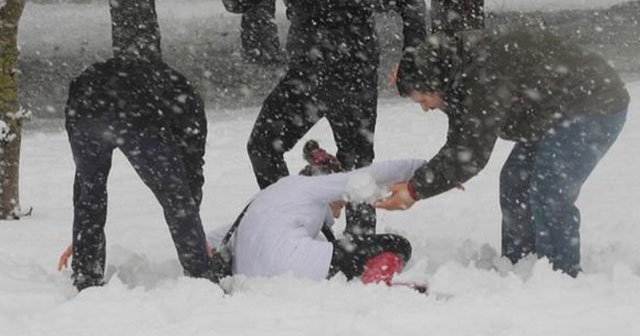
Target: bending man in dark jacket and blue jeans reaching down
(563,106)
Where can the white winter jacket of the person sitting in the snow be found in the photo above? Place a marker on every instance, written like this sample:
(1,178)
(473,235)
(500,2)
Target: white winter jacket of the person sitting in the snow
(278,232)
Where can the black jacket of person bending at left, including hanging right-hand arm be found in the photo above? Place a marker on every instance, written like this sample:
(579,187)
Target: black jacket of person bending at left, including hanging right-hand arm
(148,95)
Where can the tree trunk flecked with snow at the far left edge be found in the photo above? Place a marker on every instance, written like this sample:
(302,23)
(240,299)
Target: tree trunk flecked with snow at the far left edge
(10,116)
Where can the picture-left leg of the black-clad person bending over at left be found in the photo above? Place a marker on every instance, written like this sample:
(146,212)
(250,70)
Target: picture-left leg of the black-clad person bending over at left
(92,153)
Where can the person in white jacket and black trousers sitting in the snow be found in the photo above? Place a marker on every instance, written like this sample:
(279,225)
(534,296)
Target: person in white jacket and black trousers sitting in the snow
(276,233)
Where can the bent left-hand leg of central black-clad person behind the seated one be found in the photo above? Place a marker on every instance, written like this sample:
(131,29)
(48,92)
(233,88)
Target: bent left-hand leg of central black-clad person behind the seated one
(286,116)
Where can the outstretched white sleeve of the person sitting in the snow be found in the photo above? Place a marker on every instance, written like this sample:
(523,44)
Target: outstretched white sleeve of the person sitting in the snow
(333,187)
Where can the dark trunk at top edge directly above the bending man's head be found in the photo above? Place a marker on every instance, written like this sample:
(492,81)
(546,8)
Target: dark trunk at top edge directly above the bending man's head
(451,16)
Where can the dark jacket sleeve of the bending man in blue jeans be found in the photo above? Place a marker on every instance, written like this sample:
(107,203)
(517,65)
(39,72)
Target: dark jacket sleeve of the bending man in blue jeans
(471,137)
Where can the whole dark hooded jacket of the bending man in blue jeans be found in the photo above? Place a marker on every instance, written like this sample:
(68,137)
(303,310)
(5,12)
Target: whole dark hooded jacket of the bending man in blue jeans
(515,85)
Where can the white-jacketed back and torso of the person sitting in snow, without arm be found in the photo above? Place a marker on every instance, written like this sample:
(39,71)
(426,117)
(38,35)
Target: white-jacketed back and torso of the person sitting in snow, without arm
(280,226)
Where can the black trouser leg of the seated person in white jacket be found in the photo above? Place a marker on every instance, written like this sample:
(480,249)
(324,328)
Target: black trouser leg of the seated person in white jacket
(351,254)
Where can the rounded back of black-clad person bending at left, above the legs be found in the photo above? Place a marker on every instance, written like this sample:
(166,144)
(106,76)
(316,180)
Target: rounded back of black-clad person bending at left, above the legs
(134,90)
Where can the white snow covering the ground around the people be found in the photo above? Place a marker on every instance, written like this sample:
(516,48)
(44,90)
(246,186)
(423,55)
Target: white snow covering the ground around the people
(455,238)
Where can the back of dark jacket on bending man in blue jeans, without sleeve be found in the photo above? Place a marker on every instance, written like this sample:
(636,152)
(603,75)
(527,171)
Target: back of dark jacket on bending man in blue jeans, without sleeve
(537,78)
